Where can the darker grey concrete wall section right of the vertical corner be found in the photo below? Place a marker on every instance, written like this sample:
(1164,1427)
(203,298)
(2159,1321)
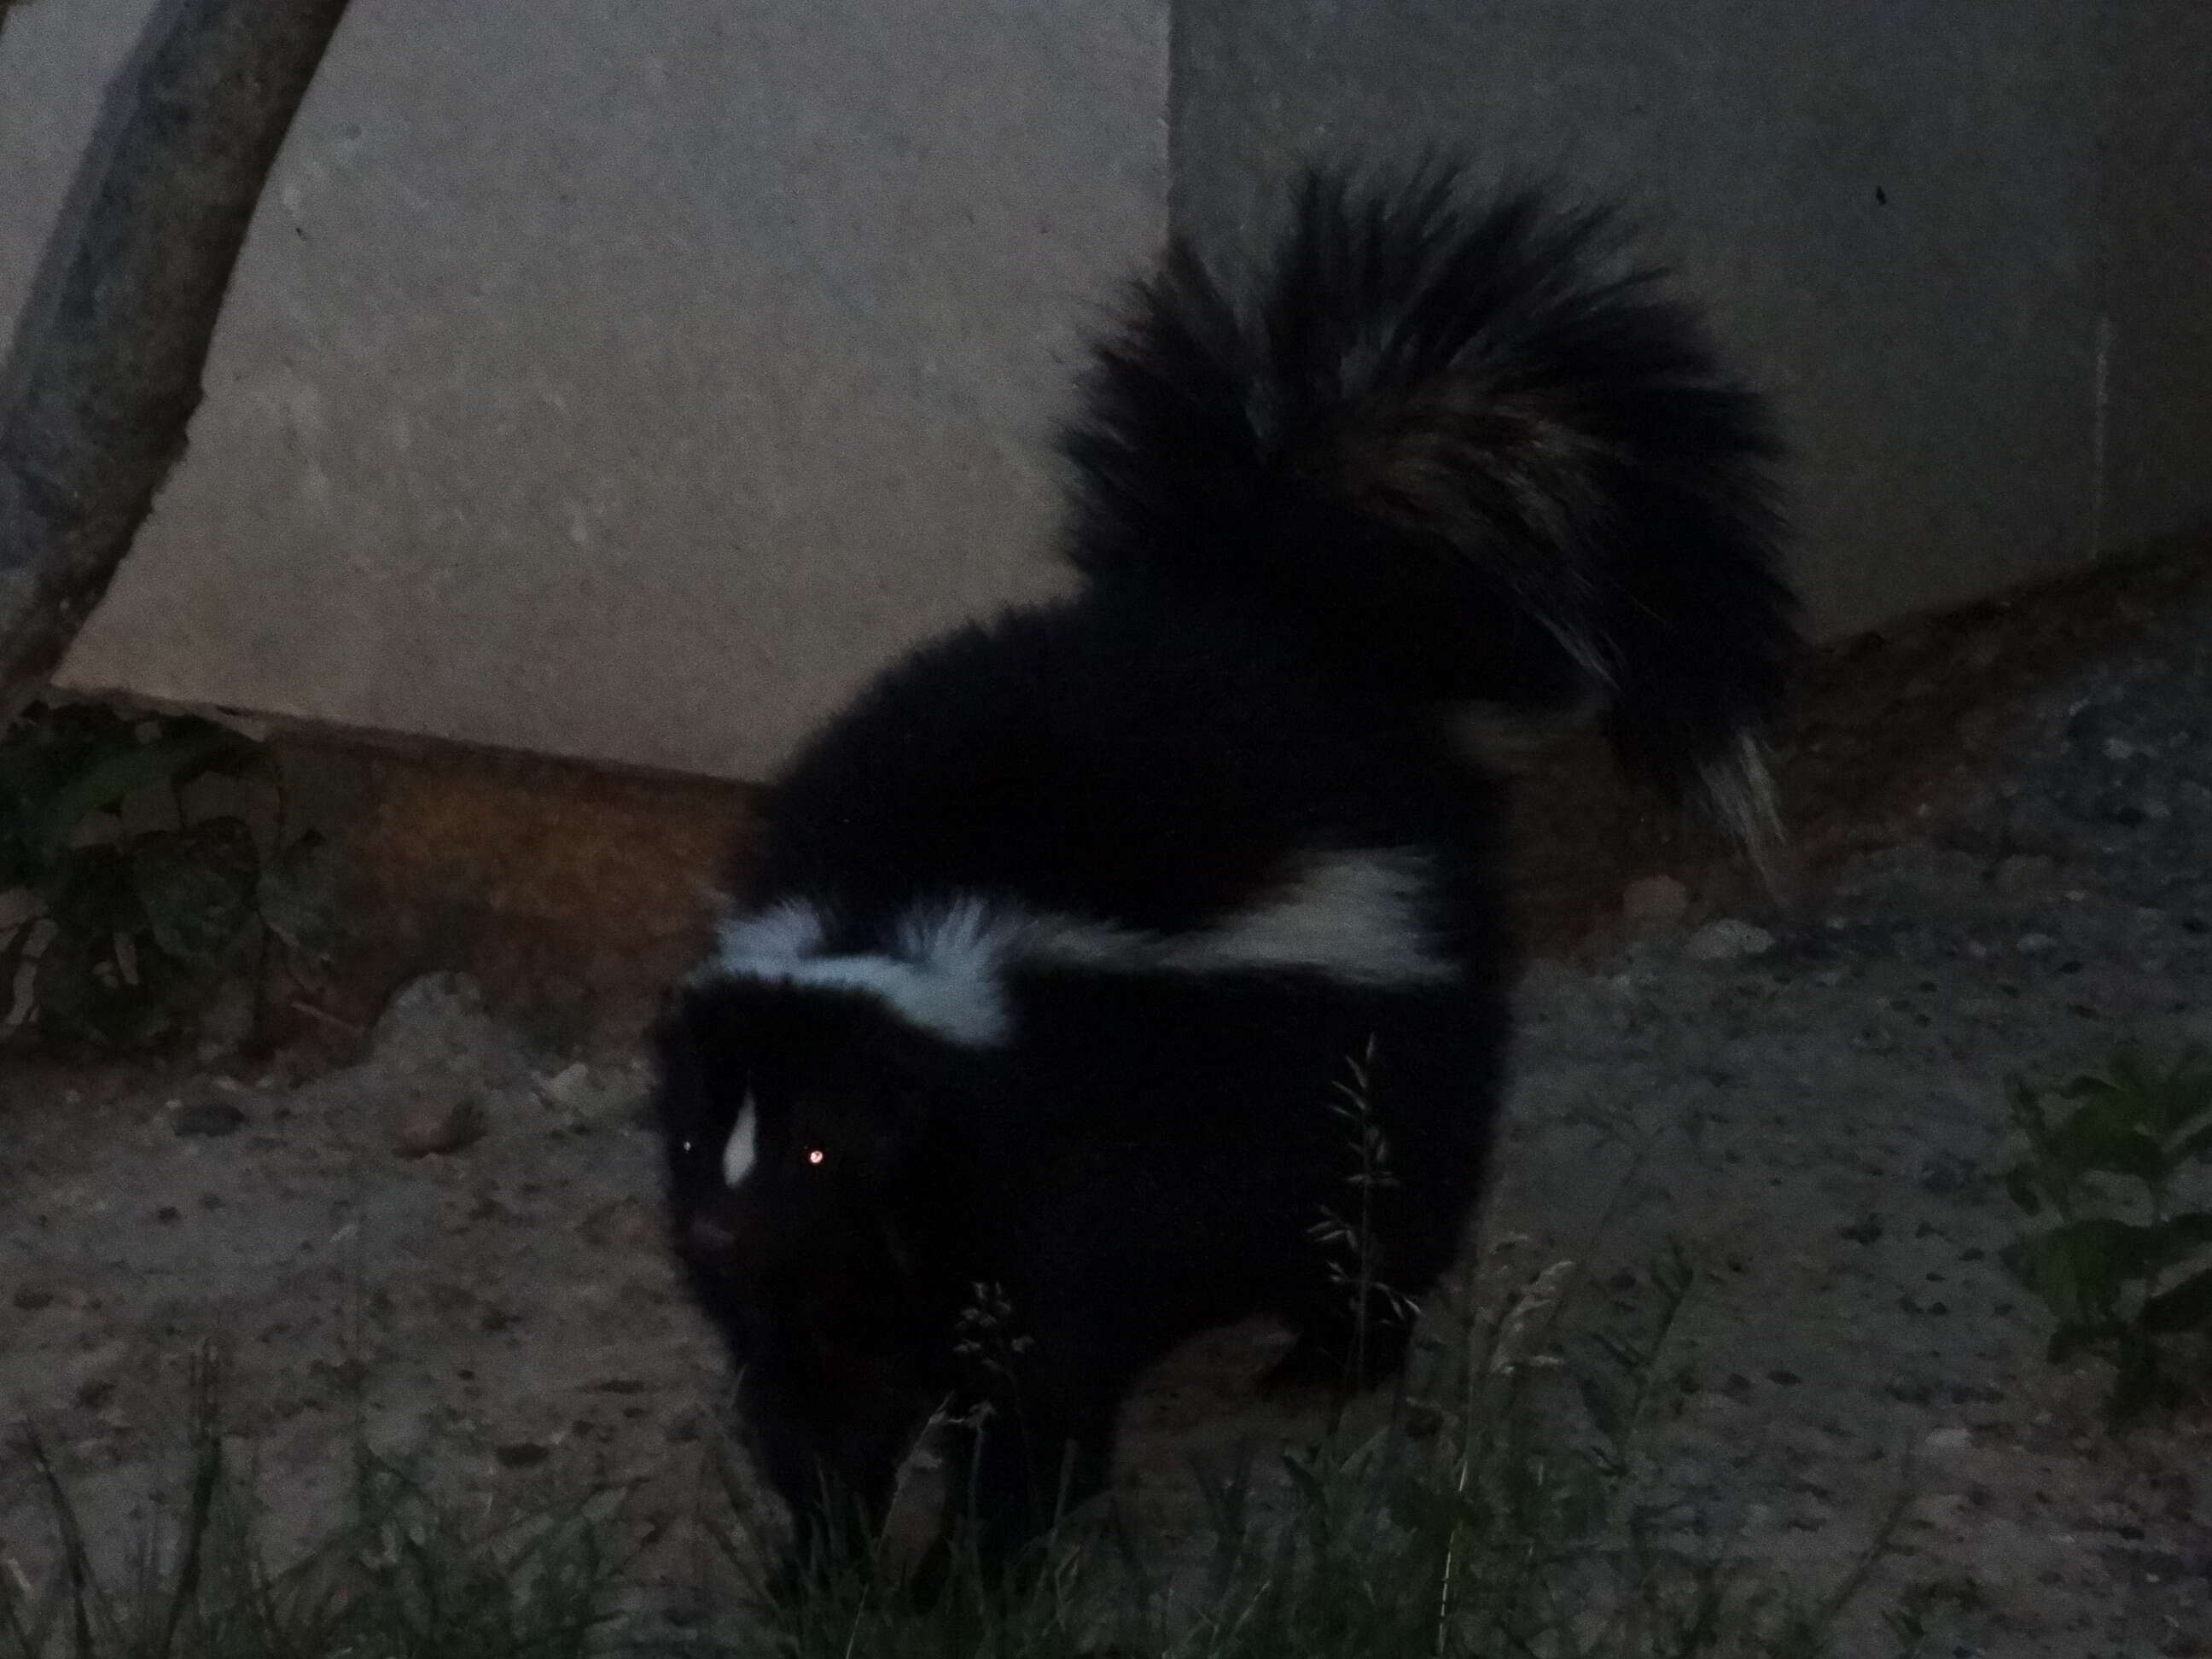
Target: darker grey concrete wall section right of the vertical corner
(1968,242)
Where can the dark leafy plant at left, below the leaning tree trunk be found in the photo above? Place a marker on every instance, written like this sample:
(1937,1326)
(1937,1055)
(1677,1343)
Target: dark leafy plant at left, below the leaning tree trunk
(132,908)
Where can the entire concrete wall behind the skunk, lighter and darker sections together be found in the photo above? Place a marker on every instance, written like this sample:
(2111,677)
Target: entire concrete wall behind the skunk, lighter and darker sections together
(625,382)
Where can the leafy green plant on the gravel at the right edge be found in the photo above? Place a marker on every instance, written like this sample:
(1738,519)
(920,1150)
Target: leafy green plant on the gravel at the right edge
(2127,1264)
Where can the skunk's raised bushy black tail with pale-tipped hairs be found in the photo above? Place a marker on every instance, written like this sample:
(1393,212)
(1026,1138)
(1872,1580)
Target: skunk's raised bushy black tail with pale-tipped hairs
(1468,463)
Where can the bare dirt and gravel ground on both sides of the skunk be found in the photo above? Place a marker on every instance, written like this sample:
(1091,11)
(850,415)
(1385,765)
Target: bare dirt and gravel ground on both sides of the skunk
(2003,870)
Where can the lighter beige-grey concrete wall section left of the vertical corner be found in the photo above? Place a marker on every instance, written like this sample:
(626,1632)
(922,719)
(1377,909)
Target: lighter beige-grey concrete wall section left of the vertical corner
(623,379)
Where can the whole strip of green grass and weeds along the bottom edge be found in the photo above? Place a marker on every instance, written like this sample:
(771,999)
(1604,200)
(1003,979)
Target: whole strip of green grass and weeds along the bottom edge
(1499,1512)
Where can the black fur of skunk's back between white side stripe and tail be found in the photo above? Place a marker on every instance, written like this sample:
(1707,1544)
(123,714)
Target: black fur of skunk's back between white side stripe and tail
(1138,758)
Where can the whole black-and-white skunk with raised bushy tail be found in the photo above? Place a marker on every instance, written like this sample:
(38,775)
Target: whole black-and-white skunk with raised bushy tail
(1100,963)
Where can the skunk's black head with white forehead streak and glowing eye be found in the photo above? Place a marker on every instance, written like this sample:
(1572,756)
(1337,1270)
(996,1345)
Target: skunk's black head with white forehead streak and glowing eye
(800,1138)
